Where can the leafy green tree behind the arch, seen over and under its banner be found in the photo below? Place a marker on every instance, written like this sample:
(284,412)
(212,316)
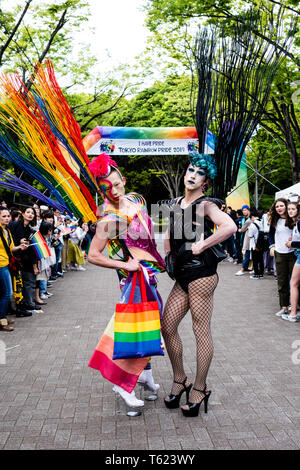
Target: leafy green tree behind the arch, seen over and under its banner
(165,104)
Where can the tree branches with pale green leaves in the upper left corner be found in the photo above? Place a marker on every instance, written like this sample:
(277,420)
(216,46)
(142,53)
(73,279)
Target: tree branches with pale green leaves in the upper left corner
(30,33)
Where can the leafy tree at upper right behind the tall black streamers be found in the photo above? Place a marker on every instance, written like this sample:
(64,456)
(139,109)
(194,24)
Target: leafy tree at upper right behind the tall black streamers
(281,118)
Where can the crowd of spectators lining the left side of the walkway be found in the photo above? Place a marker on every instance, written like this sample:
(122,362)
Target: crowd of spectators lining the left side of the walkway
(29,266)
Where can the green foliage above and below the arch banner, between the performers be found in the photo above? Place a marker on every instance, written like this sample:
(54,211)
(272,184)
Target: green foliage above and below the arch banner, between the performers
(165,104)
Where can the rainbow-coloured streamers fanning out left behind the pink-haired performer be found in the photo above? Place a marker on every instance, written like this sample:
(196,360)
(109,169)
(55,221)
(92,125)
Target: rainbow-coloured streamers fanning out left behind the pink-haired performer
(21,113)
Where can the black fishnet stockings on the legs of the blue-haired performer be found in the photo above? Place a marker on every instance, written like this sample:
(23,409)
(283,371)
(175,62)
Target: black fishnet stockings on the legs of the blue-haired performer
(200,301)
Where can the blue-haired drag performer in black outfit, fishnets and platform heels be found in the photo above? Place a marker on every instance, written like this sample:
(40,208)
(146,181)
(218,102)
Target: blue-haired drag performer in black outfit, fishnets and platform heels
(195,271)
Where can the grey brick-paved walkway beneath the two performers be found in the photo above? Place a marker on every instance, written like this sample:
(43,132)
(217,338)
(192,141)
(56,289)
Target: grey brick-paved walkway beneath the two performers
(50,399)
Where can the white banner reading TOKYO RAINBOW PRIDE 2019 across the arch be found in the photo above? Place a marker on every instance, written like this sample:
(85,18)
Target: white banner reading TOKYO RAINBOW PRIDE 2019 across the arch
(146,147)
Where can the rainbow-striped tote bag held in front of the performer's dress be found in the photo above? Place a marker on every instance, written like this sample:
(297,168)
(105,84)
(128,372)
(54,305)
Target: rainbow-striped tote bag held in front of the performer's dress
(137,325)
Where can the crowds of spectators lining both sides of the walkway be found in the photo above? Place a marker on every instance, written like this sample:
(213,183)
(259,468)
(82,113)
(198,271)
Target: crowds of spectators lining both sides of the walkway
(264,243)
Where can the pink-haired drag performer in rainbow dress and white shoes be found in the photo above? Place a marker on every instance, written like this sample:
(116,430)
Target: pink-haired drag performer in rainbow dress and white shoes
(126,229)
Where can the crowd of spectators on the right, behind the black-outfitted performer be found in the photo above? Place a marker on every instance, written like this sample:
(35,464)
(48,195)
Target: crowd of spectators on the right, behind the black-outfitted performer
(270,242)
